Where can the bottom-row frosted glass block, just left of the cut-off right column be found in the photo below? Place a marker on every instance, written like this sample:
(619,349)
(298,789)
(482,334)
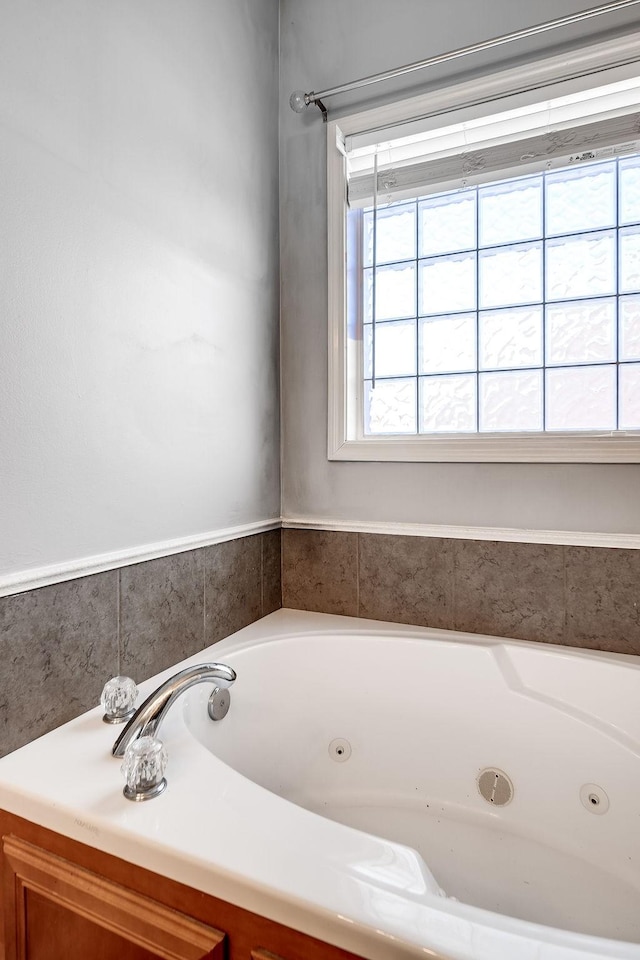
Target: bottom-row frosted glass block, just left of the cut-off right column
(581,398)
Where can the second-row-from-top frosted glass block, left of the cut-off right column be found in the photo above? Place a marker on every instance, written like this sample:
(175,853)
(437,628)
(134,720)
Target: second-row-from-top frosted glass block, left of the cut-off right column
(581,266)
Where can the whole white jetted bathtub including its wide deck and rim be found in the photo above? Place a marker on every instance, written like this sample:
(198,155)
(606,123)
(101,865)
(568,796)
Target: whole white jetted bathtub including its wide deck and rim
(396,791)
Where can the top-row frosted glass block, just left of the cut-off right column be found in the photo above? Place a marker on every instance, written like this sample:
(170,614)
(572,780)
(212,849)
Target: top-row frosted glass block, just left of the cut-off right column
(581,198)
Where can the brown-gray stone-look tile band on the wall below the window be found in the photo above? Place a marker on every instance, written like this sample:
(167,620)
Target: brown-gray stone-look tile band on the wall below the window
(580,596)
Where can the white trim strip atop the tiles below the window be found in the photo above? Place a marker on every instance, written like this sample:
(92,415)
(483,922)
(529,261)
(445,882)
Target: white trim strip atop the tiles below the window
(570,538)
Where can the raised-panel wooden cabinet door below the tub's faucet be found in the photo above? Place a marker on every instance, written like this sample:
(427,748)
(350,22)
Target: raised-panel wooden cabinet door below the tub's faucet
(56,910)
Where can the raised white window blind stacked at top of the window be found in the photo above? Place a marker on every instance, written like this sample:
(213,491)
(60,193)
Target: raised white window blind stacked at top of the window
(604,122)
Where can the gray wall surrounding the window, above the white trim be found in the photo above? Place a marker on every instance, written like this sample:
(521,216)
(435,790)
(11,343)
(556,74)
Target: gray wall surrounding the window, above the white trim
(323,45)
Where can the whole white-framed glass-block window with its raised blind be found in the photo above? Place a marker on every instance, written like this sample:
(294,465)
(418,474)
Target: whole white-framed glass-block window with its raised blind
(490,306)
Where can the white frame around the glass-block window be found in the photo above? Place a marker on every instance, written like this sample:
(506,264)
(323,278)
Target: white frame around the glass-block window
(606,62)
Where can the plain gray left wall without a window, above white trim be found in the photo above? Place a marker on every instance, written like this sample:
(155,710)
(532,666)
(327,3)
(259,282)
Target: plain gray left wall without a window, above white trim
(139,283)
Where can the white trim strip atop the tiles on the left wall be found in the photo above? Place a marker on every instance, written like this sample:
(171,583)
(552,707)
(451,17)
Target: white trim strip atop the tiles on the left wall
(71,570)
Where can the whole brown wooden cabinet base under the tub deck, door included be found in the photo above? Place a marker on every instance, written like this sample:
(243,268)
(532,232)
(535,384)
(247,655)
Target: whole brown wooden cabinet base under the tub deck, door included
(65,901)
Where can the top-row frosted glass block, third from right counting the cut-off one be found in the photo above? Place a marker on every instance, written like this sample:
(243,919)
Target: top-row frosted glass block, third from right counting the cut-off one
(510,211)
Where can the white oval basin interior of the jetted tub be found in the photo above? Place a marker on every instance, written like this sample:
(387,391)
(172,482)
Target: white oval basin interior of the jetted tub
(389,734)
